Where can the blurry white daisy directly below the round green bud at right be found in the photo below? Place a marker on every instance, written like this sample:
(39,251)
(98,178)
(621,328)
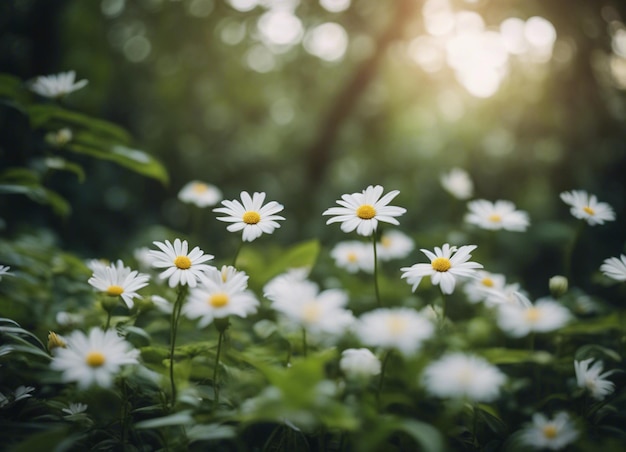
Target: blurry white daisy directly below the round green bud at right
(517,320)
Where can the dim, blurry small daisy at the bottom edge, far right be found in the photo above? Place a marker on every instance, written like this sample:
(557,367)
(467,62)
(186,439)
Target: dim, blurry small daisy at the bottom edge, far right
(544,433)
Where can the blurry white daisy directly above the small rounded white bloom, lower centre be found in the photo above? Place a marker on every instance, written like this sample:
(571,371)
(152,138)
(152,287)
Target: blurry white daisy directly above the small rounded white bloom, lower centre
(399,328)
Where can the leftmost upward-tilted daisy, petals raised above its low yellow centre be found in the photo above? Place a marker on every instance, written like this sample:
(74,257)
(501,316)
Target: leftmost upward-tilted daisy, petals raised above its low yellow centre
(116,280)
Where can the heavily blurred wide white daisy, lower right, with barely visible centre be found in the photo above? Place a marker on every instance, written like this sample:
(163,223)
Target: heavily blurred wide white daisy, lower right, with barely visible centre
(461,376)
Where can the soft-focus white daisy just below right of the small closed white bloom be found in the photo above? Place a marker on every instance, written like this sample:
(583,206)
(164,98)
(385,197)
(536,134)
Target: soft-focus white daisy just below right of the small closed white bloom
(498,215)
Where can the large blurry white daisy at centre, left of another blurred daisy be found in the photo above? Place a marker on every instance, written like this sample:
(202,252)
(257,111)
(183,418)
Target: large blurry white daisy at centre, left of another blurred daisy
(303,305)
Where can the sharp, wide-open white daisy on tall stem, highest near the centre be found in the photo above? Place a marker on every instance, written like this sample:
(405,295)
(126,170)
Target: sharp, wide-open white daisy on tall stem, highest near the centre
(362,211)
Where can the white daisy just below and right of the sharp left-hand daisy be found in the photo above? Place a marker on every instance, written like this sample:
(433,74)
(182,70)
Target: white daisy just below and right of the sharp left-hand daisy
(216,298)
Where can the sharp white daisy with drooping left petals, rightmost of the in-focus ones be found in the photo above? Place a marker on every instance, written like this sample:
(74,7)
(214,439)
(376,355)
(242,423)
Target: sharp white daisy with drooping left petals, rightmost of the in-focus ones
(446,264)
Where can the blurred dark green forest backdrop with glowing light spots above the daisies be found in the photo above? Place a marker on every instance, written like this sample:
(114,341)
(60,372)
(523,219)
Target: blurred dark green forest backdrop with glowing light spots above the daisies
(310,99)
